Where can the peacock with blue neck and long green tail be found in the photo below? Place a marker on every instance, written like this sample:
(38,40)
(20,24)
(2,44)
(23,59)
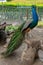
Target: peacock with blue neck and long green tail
(19,35)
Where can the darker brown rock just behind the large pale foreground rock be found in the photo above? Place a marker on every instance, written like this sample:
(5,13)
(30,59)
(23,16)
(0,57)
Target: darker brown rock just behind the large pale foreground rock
(33,43)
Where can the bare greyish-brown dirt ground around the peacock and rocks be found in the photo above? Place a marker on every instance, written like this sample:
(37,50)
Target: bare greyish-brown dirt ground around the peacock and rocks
(37,33)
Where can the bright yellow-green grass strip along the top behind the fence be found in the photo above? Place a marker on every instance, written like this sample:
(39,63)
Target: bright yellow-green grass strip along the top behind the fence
(19,3)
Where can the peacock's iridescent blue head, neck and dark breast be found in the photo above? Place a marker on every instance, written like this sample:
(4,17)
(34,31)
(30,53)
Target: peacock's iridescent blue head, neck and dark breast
(35,19)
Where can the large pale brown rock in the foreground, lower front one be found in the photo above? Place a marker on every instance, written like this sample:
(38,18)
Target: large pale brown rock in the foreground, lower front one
(28,56)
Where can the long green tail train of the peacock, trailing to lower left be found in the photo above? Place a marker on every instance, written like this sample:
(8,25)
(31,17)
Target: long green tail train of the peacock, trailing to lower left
(16,41)
